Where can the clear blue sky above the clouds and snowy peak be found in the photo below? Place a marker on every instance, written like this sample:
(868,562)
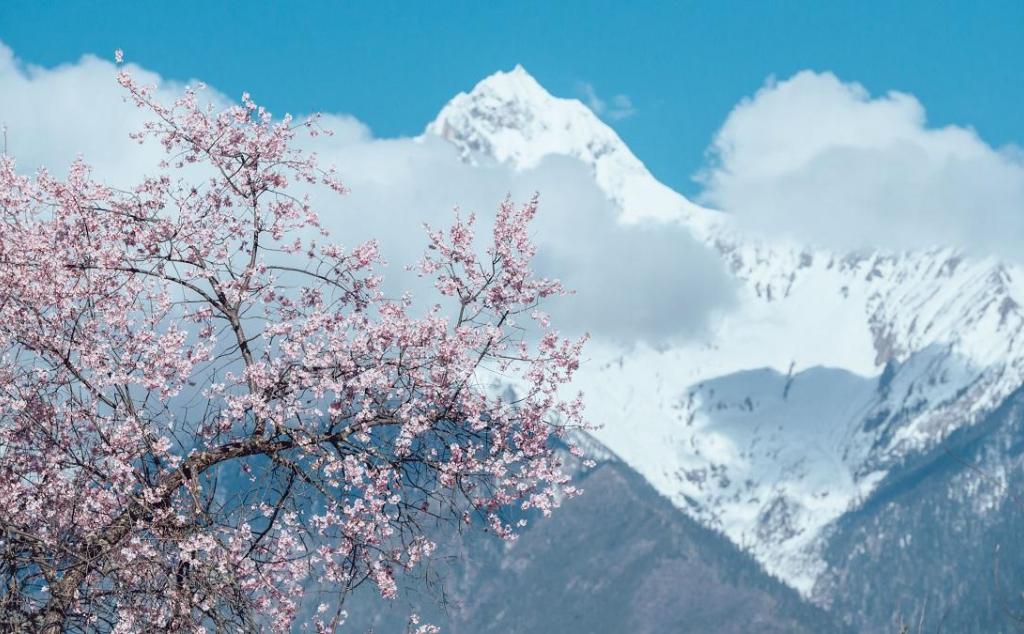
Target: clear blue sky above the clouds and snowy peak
(684,65)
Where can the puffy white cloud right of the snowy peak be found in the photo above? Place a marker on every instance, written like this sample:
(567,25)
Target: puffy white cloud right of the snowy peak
(821,160)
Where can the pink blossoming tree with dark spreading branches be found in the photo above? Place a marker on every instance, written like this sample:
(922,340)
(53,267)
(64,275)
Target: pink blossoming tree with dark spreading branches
(206,407)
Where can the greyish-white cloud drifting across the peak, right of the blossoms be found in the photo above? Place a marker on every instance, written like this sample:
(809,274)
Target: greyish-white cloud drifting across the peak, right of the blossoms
(631,282)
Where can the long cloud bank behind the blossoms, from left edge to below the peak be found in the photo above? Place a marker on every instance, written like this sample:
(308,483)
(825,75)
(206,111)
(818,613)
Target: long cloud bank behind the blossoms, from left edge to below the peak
(632,282)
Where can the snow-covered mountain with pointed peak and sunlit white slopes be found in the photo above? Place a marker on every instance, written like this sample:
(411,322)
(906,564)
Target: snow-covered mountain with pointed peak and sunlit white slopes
(833,369)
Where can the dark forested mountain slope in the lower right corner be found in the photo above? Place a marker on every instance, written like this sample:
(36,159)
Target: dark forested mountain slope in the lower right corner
(940,542)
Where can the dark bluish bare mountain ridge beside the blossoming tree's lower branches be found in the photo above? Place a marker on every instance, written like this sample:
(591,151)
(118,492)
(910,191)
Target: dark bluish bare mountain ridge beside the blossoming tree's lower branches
(620,559)
